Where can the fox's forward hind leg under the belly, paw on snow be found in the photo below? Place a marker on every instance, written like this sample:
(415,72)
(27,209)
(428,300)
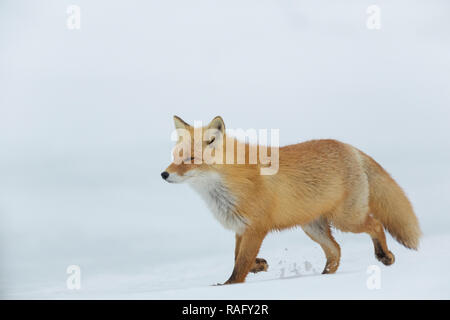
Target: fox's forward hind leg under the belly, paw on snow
(319,230)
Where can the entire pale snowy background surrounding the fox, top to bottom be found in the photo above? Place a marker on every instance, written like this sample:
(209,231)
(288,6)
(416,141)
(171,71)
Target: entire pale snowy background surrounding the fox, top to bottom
(85,124)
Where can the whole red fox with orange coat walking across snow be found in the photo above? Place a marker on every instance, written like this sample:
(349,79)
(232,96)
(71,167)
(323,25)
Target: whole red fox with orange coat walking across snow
(319,184)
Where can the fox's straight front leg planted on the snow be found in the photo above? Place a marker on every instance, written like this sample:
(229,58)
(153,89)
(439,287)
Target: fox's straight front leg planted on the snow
(249,243)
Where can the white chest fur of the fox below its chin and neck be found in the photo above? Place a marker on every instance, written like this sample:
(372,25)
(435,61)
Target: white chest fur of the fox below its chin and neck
(219,200)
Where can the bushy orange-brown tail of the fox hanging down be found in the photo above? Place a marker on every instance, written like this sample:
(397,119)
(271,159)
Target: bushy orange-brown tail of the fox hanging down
(389,204)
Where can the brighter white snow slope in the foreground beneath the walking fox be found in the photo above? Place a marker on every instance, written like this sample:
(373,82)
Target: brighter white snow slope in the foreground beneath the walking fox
(294,273)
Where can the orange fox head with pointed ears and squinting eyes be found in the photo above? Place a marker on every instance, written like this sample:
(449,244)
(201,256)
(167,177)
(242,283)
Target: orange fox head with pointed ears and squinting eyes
(196,150)
